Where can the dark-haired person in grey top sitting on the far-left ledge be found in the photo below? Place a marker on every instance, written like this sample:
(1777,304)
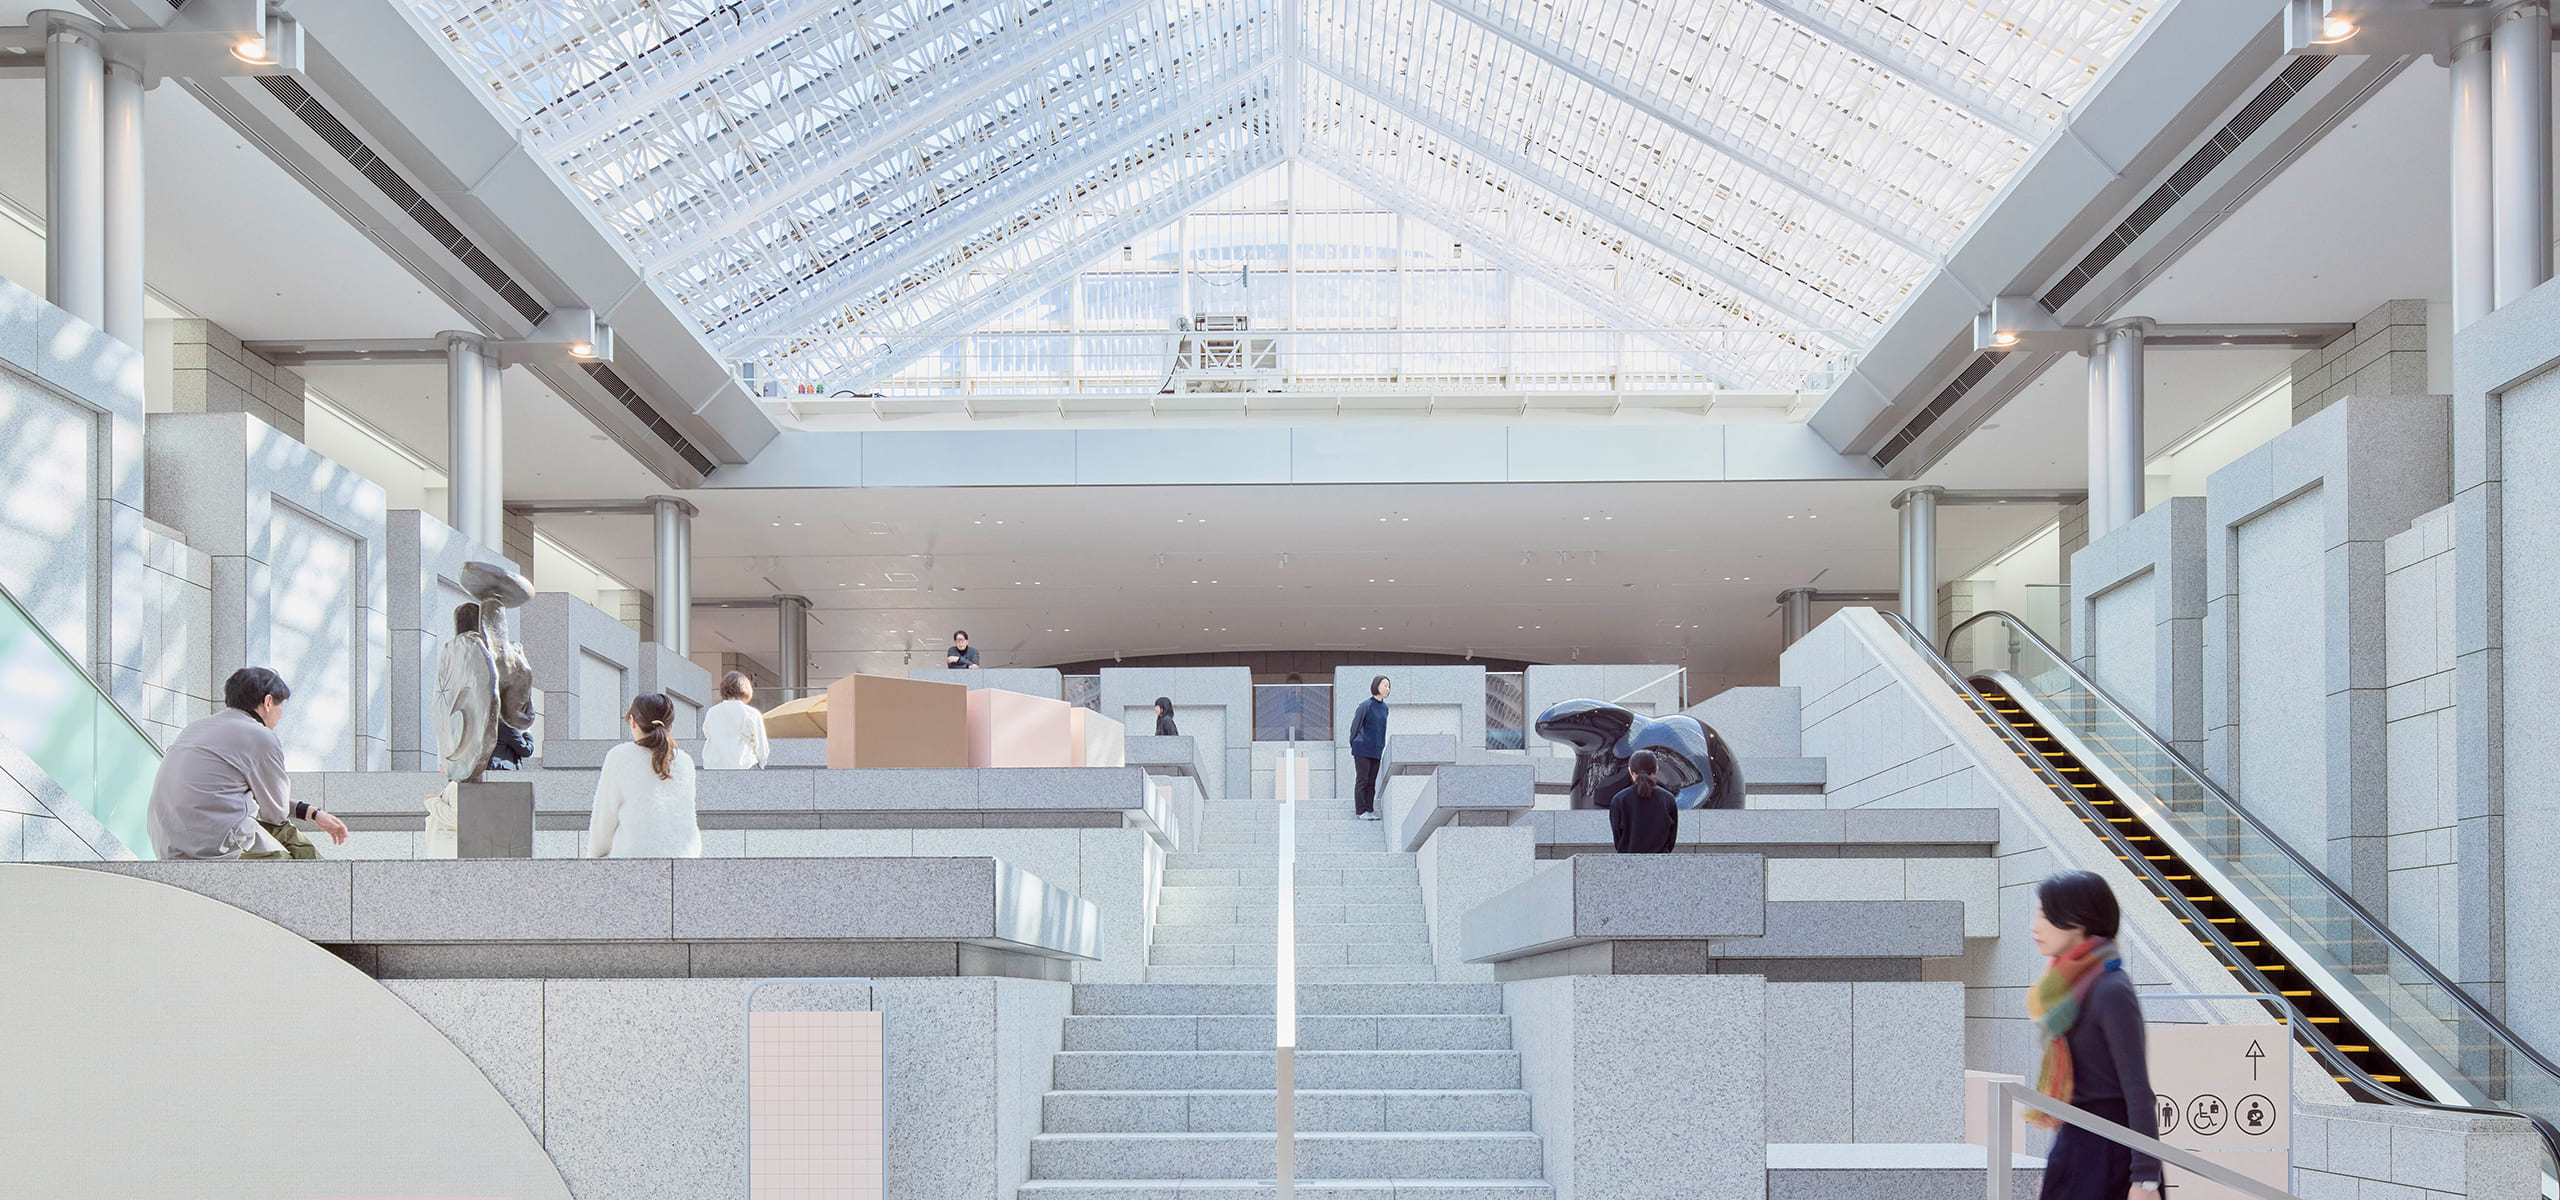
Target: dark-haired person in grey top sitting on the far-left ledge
(221,789)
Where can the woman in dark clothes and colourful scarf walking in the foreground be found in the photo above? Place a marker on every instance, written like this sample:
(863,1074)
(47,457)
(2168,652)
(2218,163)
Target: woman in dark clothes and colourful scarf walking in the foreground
(2095,1050)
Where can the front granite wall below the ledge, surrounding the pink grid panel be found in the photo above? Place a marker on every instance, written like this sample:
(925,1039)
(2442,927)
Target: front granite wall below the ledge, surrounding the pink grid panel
(634,1086)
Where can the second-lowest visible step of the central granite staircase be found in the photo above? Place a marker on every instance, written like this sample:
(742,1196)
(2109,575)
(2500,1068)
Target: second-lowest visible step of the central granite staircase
(1320,1155)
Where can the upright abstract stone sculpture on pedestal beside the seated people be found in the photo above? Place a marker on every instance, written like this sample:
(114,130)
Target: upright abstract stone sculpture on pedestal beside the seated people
(483,677)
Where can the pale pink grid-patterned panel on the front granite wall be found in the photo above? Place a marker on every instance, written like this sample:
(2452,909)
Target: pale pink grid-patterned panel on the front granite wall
(815,1107)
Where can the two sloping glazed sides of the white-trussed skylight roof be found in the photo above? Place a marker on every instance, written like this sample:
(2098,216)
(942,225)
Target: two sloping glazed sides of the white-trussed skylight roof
(836,188)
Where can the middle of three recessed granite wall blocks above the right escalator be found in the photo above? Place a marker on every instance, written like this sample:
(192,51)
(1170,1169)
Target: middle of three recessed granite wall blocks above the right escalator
(2295,623)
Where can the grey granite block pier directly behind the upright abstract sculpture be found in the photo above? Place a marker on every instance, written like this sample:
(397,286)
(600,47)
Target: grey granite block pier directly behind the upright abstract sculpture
(426,567)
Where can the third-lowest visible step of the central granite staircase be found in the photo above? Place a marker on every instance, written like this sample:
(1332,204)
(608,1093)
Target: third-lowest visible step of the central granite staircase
(1320,1112)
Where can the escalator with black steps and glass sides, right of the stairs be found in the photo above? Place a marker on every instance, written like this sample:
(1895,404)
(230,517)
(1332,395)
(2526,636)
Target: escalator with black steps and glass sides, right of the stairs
(2385,1022)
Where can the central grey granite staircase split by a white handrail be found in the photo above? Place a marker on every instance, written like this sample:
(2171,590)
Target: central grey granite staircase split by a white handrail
(1407,1089)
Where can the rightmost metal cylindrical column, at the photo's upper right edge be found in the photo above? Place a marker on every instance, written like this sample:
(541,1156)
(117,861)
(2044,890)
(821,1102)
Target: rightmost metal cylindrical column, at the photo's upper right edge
(2520,129)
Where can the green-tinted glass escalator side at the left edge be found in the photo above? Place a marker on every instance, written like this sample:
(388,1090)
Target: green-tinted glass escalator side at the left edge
(73,730)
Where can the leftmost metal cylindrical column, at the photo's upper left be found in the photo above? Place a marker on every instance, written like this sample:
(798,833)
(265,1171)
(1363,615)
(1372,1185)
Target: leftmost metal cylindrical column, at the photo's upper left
(76,175)
